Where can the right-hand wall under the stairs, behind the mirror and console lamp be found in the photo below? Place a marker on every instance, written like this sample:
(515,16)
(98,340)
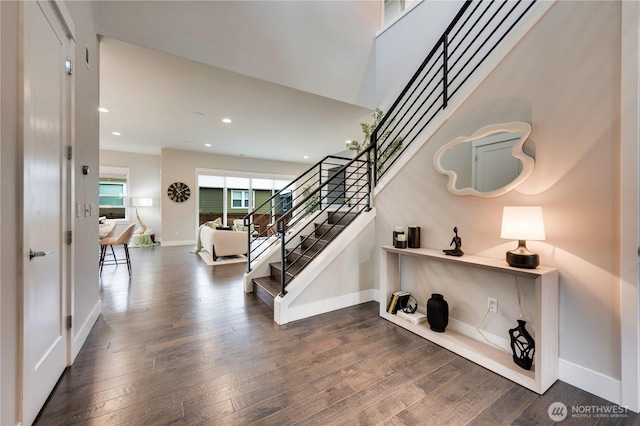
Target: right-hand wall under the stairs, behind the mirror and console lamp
(566,84)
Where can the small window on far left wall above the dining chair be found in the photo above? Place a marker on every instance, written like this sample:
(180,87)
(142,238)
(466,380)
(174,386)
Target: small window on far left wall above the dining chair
(113,193)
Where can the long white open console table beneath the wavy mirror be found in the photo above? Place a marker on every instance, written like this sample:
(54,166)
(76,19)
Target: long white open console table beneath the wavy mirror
(545,367)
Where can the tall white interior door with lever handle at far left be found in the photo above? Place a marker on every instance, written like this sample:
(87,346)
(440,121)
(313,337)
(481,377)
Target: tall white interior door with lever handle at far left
(44,104)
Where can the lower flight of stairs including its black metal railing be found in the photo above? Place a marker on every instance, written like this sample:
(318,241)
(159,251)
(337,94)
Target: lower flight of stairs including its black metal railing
(322,202)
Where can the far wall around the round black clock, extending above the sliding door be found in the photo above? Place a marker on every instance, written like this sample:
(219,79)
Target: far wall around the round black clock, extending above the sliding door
(179,220)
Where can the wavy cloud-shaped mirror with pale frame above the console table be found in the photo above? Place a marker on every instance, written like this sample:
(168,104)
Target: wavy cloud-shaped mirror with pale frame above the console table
(489,163)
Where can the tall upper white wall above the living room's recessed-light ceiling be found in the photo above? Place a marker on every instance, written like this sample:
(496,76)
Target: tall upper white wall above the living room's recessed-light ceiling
(319,47)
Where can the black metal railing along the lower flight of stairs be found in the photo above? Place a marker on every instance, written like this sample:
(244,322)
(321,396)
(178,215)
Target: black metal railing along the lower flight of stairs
(331,184)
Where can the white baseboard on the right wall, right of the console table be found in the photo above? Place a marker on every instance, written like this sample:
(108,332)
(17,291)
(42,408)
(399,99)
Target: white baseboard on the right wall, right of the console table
(590,381)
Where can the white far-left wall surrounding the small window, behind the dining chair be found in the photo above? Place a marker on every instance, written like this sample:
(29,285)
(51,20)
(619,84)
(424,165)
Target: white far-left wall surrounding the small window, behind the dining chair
(145,176)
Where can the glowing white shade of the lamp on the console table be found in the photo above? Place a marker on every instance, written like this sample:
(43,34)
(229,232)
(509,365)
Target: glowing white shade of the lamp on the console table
(522,223)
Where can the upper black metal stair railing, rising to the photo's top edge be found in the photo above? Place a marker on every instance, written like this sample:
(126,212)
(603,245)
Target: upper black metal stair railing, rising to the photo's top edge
(477,29)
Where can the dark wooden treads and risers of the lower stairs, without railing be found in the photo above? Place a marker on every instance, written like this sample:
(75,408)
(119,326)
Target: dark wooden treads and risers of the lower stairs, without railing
(269,287)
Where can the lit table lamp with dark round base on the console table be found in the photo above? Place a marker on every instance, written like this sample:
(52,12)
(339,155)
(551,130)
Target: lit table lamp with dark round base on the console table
(522,223)
